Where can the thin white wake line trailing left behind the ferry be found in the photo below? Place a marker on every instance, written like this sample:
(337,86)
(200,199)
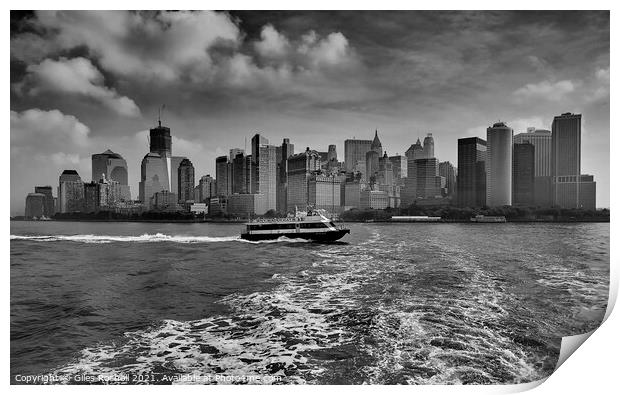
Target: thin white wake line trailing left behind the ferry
(145,238)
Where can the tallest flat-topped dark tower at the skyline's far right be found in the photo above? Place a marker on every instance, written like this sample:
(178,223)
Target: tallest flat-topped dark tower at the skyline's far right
(566,159)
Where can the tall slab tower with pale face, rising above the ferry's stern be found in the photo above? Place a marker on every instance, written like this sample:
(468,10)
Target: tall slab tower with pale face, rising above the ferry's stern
(265,162)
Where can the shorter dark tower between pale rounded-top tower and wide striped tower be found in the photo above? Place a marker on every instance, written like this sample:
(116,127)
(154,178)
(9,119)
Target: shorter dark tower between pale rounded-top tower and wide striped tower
(523,170)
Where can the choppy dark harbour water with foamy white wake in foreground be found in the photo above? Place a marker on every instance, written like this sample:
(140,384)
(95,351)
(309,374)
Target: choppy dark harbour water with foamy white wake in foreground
(393,303)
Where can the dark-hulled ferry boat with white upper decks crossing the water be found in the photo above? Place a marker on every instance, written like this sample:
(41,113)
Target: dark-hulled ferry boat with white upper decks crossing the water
(310,225)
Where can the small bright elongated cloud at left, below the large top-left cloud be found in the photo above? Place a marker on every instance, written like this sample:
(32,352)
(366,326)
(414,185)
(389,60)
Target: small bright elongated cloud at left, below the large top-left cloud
(77,76)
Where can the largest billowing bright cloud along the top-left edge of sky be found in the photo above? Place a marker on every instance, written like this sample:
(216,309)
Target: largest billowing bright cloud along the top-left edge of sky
(163,46)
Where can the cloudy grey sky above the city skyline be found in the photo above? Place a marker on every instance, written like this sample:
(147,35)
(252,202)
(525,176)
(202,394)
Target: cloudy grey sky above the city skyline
(86,81)
